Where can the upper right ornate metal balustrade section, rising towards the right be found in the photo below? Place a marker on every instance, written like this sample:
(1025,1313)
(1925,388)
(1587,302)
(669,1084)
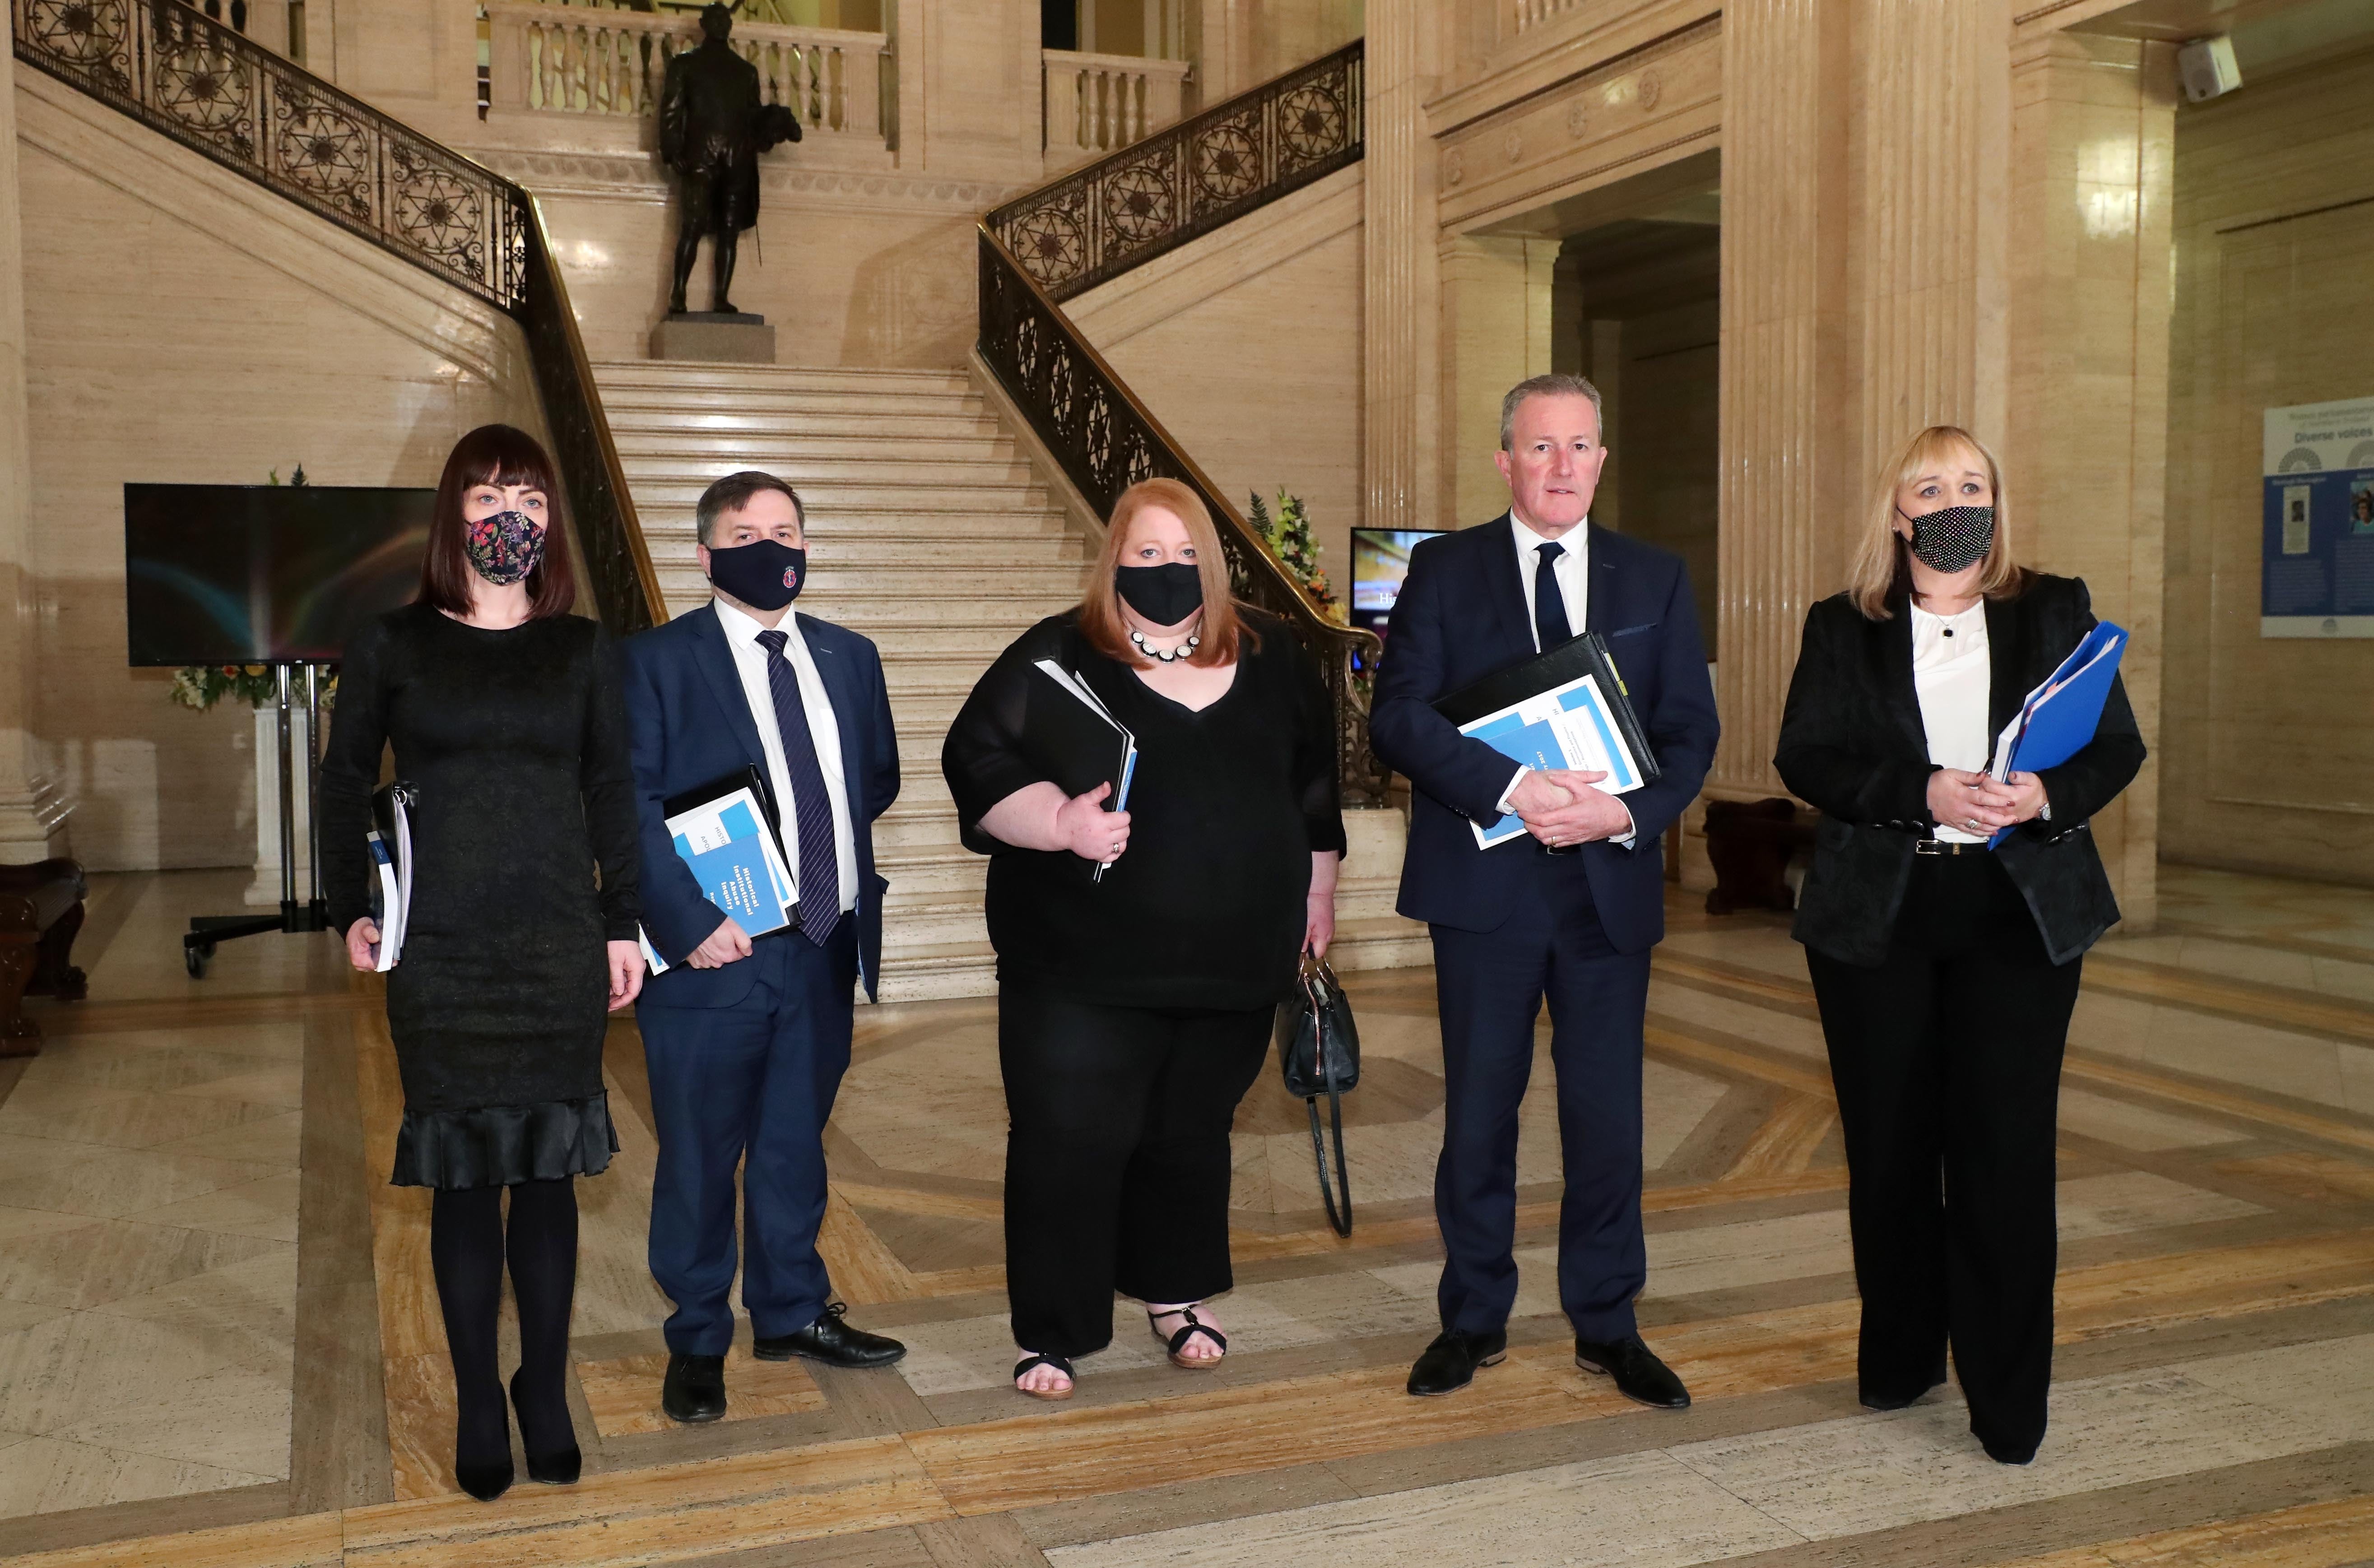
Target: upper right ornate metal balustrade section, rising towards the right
(1191,179)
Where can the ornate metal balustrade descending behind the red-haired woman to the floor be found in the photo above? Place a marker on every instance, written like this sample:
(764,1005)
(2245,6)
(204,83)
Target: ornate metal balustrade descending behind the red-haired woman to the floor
(1107,442)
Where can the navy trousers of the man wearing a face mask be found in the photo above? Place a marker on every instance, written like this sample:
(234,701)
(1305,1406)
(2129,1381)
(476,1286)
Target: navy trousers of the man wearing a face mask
(749,1088)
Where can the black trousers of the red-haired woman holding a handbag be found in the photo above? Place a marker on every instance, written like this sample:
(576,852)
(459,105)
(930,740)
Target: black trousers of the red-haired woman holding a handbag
(1117,1156)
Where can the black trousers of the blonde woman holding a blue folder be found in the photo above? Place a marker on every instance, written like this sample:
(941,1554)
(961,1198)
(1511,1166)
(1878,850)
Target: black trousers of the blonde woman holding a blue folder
(1948,1069)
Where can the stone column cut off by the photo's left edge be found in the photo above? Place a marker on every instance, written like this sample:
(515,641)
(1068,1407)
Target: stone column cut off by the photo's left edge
(32,815)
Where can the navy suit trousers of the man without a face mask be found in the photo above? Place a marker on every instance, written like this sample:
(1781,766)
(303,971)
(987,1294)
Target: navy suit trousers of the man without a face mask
(1490,993)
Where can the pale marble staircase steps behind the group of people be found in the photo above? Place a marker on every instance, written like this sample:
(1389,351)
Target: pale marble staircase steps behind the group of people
(932,533)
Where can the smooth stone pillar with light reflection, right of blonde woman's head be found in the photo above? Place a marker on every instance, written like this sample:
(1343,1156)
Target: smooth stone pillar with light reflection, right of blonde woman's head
(2088,428)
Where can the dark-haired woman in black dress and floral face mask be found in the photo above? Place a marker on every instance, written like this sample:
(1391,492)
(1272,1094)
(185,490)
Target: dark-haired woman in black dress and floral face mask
(507,718)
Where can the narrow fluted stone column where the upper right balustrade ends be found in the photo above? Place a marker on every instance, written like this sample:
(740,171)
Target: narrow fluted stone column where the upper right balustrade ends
(1402,393)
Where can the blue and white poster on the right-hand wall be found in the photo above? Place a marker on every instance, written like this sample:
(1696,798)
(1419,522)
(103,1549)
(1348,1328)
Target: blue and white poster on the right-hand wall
(2318,528)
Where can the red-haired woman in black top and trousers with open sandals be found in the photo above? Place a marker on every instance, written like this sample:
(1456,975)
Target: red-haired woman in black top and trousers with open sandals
(1134,1012)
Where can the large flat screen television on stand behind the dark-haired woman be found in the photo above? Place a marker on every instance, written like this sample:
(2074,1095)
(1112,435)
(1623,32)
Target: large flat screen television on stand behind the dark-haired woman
(265,573)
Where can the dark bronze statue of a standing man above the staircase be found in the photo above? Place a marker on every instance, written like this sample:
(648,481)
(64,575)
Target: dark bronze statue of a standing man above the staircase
(711,132)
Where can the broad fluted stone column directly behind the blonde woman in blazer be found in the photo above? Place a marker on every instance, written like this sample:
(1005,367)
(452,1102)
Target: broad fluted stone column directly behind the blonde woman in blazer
(1865,298)
